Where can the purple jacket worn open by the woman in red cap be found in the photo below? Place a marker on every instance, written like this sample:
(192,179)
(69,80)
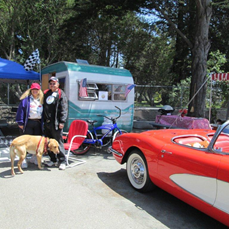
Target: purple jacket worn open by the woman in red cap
(23,113)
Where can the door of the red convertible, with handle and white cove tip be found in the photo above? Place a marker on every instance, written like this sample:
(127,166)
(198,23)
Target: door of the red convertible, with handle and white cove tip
(184,169)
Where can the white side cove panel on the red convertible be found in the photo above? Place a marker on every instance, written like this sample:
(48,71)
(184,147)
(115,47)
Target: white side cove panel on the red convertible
(210,190)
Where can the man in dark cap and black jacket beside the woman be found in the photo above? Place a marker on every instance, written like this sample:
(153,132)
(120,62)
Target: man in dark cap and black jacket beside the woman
(55,116)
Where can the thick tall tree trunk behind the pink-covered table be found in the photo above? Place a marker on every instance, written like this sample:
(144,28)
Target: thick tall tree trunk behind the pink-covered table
(199,58)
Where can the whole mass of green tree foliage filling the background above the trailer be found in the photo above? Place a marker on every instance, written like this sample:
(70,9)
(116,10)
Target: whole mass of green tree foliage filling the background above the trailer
(113,33)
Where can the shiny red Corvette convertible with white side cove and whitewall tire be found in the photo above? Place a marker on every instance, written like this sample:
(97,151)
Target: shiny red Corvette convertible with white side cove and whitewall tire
(192,165)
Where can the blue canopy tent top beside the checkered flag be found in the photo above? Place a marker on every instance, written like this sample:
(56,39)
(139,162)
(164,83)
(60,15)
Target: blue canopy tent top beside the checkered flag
(10,70)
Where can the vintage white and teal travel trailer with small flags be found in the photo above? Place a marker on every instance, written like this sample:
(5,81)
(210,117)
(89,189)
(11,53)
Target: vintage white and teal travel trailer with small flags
(106,89)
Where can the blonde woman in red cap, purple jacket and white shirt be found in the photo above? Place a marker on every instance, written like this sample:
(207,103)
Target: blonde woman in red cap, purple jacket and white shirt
(29,113)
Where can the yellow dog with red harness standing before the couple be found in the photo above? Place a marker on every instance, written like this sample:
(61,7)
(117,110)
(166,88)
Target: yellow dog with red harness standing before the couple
(33,145)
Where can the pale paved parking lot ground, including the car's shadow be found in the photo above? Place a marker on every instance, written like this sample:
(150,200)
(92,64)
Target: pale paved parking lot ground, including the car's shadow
(96,194)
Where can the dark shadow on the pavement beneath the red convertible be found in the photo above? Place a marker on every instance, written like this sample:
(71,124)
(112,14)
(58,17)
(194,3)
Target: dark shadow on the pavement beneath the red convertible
(159,204)
